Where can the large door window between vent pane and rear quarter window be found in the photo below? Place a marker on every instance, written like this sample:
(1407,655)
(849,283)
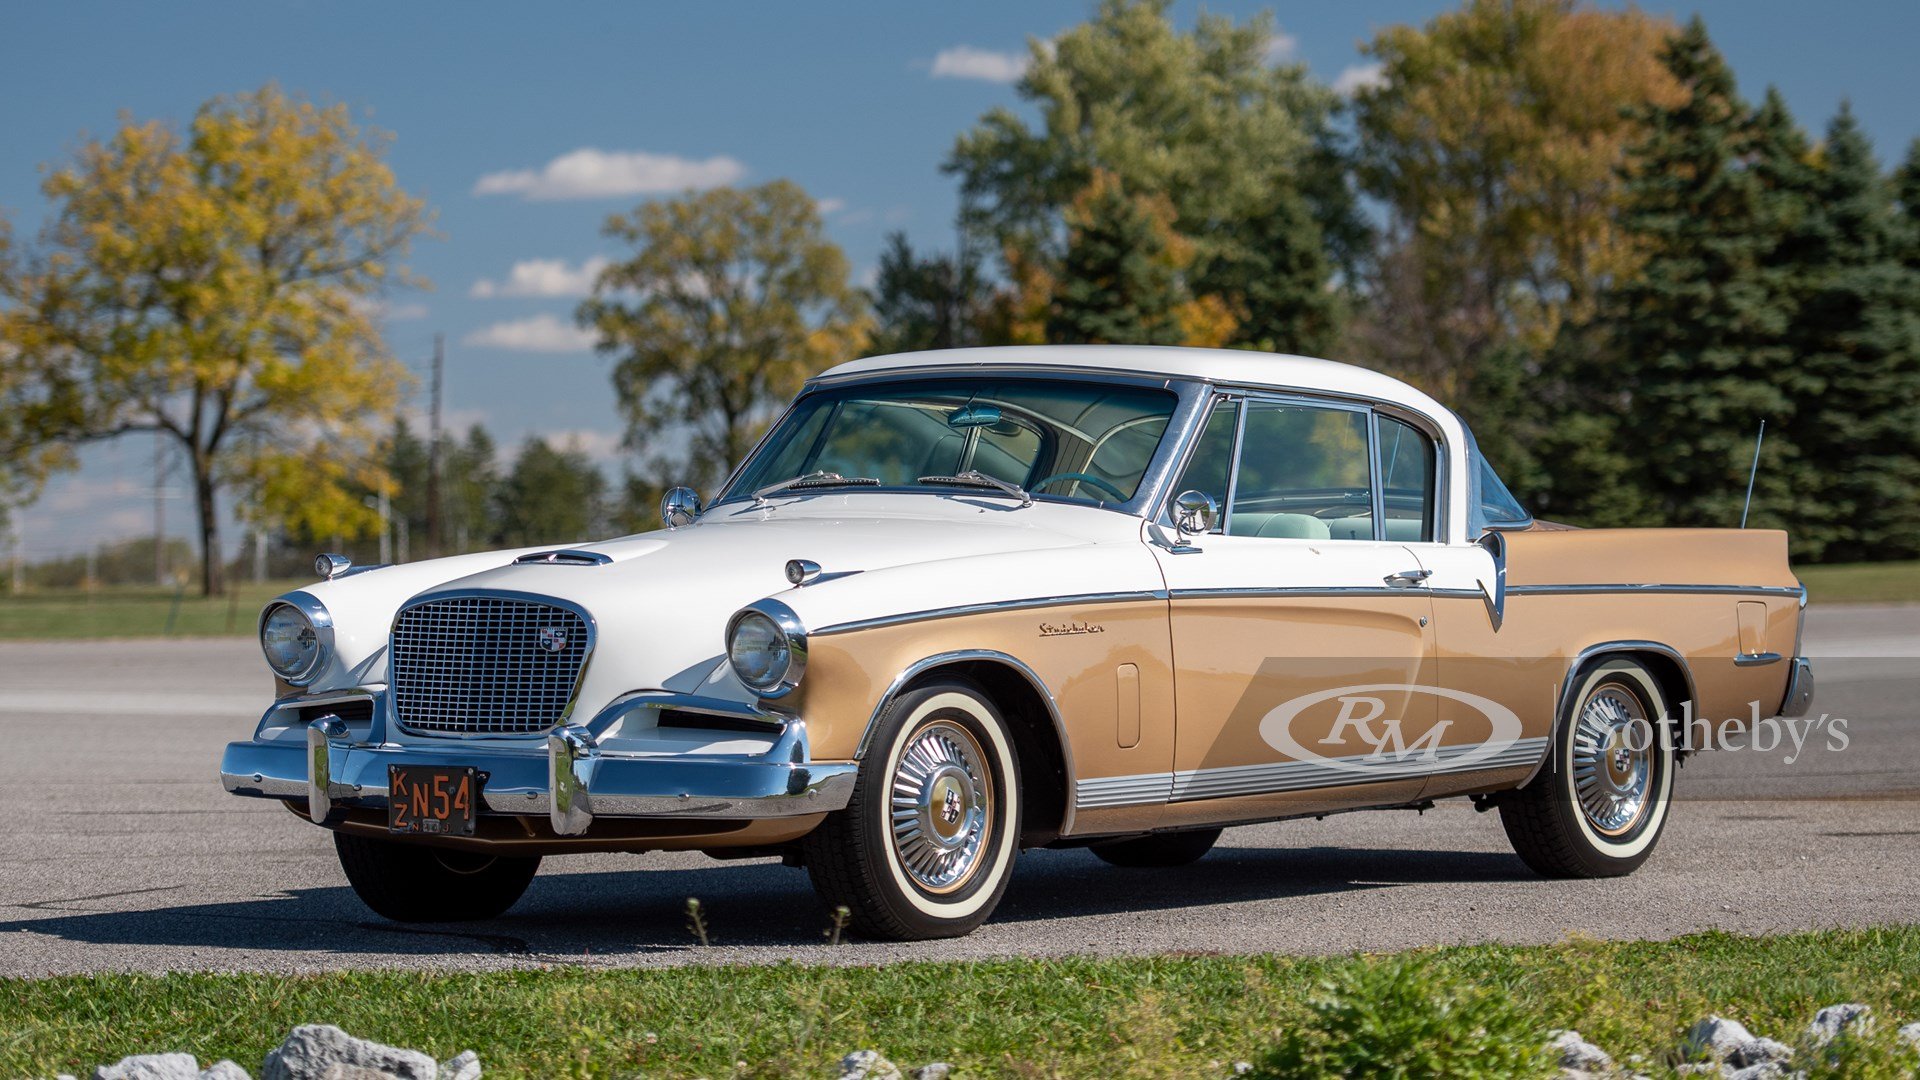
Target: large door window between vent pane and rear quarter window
(1305,474)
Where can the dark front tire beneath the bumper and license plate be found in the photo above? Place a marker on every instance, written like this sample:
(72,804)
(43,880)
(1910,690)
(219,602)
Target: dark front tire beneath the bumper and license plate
(410,883)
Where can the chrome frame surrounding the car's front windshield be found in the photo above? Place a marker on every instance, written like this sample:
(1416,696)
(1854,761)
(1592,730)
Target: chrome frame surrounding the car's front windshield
(1189,405)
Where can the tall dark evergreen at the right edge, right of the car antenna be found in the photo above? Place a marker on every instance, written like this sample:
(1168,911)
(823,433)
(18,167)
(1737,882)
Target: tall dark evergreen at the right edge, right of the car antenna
(1858,339)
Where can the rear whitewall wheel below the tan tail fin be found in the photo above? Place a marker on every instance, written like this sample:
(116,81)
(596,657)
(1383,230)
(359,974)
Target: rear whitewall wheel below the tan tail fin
(1600,804)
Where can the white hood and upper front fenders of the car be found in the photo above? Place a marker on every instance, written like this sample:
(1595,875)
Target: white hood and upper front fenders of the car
(663,601)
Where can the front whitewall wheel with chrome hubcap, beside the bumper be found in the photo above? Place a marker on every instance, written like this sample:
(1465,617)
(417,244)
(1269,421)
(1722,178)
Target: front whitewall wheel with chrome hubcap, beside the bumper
(926,845)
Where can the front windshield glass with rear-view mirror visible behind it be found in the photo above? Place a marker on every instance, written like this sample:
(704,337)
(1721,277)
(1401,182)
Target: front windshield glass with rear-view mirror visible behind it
(1051,437)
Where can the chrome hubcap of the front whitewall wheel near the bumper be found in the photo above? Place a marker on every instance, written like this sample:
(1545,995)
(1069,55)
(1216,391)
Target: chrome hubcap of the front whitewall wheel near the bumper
(942,806)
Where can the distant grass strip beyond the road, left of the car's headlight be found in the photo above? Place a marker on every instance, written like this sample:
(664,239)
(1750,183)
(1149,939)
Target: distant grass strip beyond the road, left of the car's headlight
(133,612)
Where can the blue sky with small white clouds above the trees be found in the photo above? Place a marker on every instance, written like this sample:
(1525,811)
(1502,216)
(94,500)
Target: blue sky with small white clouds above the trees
(525,126)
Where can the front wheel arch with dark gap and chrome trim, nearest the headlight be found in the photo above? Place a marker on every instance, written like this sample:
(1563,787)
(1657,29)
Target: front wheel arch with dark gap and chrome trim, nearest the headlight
(1040,735)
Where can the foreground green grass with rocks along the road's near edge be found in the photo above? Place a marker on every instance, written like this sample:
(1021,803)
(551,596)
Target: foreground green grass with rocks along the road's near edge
(1074,1018)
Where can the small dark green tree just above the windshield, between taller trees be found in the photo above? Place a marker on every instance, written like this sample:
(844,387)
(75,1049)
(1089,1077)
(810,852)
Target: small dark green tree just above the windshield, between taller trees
(924,303)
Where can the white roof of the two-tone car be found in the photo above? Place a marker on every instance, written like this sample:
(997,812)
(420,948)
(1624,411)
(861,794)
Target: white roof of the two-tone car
(1237,368)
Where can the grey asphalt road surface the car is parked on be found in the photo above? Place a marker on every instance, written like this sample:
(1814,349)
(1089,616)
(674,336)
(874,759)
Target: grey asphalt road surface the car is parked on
(120,852)
